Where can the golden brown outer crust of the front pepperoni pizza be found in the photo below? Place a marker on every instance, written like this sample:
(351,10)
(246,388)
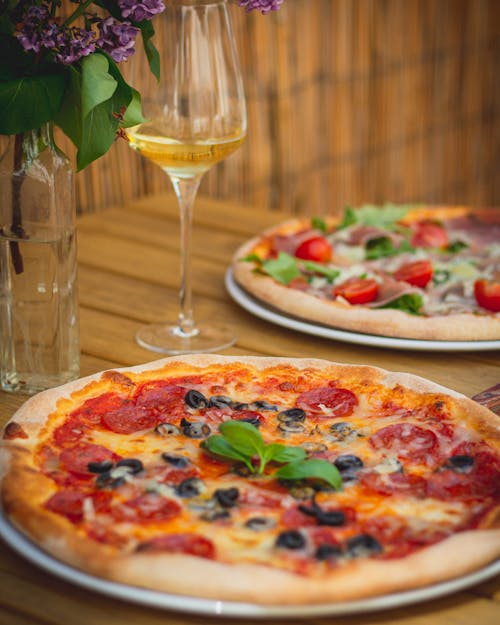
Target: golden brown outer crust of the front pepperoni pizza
(24,490)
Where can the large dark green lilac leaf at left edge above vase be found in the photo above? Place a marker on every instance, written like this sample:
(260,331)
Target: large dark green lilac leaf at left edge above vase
(29,102)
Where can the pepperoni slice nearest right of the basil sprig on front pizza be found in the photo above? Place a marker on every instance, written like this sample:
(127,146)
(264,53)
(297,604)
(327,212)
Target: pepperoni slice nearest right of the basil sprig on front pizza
(407,441)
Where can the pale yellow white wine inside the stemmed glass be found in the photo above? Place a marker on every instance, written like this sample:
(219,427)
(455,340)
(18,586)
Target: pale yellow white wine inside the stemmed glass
(183,158)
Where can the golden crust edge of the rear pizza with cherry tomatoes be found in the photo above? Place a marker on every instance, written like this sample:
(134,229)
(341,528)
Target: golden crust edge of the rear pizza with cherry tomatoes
(383,322)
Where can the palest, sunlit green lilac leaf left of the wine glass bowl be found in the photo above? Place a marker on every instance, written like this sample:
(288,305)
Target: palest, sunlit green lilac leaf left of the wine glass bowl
(97,84)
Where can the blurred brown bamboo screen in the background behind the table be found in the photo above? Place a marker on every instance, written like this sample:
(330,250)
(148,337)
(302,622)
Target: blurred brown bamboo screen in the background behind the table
(350,101)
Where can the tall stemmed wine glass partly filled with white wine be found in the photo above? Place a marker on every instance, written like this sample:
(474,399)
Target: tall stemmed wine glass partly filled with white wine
(196,117)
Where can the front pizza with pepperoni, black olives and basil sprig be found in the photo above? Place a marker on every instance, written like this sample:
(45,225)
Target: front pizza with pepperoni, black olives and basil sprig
(263,480)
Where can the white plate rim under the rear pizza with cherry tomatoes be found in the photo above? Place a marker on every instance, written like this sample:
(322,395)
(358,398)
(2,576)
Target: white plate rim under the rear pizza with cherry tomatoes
(262,310)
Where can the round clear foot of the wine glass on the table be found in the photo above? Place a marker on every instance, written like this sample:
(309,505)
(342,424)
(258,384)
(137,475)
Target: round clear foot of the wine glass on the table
(209,337)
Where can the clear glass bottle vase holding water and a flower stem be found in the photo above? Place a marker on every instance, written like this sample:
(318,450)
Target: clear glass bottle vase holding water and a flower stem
(39,332)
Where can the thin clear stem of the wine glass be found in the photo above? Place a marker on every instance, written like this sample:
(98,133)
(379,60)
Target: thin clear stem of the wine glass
(185,190)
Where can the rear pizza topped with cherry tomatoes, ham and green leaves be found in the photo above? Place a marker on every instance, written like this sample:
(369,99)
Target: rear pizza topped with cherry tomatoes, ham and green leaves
(429,273)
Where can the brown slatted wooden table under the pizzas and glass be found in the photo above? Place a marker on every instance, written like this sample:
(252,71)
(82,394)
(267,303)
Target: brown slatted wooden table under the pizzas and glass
(128,274)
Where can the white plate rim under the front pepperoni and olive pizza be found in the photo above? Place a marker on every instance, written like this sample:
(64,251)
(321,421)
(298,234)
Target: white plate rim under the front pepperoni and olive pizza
(210,607)
